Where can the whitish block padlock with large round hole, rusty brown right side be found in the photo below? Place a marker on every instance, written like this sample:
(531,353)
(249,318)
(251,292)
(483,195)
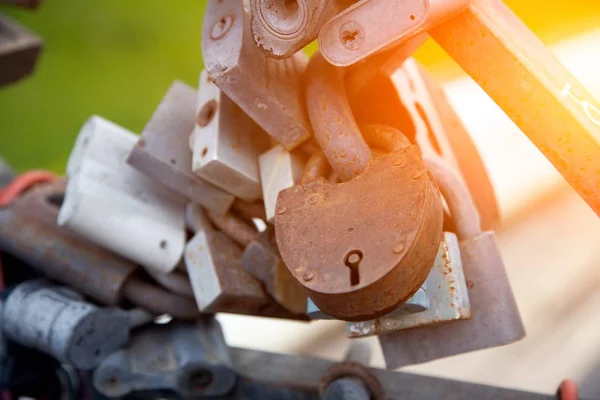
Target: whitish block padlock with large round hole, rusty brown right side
(226,143)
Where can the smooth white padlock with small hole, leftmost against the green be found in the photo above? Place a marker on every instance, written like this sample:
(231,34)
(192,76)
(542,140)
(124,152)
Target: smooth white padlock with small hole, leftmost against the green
(117,207)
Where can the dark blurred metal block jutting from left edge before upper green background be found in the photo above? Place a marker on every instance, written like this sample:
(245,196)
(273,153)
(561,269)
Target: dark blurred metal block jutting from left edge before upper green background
(19,51)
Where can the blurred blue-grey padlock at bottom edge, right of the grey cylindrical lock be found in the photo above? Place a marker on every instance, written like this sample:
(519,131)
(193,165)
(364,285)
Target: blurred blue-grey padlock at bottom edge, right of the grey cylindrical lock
(189,358)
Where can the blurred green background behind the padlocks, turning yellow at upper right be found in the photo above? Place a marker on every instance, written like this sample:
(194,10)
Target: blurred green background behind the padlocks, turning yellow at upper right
(117,58)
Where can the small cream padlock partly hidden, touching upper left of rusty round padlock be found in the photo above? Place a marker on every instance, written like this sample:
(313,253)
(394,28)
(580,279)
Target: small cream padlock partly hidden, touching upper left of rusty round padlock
(279,170)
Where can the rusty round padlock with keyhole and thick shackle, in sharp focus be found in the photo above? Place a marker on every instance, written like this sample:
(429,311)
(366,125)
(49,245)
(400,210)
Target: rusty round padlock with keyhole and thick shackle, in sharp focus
(364,246)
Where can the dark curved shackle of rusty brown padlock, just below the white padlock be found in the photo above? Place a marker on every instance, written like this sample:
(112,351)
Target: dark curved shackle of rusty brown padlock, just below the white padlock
(159,301)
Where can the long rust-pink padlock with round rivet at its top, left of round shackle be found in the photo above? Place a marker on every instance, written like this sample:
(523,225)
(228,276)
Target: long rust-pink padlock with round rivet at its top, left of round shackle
(270,91)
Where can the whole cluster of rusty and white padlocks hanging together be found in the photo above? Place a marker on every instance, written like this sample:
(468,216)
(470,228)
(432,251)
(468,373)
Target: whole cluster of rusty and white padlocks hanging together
(342,186)
